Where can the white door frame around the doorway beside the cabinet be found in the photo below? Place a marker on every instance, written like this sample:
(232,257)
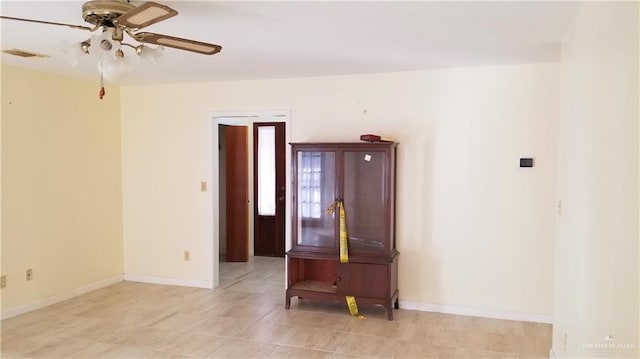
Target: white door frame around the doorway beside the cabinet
(244,118)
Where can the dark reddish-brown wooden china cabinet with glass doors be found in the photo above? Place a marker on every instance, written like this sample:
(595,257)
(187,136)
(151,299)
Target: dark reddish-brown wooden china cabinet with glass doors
(360,177)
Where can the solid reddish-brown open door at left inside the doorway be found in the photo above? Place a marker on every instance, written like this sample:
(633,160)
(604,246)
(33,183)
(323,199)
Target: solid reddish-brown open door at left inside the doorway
(237,193)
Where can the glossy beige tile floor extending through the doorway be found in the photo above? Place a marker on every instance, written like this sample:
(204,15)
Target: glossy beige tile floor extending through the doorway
(245,317)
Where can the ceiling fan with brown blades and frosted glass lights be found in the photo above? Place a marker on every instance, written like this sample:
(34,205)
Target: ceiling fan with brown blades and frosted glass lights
(115,18)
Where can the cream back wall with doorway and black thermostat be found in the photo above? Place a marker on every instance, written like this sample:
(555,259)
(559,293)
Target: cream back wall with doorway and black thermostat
(474,230)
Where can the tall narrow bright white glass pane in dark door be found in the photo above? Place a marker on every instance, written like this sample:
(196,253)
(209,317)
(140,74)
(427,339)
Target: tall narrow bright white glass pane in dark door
(267,170)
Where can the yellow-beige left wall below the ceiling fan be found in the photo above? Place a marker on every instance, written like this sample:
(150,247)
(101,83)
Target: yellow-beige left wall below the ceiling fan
(61,186)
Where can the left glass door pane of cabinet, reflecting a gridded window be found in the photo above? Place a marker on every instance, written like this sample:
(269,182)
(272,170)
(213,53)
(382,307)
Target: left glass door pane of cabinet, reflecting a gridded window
(316,192)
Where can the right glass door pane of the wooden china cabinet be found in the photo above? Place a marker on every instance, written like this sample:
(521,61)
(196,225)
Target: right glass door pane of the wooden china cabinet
(364,200)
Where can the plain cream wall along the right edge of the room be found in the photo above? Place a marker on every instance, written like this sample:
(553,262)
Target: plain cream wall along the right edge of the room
(596,274)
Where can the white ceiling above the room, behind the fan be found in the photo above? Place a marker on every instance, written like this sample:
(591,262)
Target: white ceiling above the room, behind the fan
(295,39)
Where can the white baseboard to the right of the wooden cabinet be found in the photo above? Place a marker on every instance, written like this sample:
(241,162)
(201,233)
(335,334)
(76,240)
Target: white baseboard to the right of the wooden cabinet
(477,312)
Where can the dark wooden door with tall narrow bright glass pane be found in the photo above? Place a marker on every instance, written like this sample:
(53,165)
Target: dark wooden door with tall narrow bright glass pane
(269,176)
